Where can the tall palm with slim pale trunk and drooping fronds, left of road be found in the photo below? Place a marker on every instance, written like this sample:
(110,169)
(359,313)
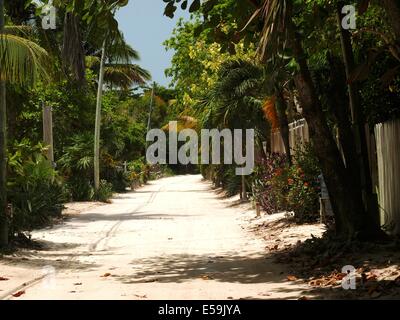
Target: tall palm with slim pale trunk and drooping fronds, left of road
(102,29)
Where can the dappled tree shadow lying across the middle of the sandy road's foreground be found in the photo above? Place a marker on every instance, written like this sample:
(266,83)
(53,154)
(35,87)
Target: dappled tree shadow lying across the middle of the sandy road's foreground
(182,267)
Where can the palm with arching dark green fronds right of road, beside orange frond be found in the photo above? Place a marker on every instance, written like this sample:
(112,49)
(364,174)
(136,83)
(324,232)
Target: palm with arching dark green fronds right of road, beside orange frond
(236,101)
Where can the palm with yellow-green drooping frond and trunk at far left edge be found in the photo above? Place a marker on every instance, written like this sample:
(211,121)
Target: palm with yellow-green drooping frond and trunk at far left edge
(22,62)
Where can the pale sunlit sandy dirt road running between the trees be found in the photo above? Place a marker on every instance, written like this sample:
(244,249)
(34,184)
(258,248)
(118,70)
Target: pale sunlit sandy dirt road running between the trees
(172,239)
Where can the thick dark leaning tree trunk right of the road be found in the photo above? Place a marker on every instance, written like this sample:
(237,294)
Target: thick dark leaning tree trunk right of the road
(350,217)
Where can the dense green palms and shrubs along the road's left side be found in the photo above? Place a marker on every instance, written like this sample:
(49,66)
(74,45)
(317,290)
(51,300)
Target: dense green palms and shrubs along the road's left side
(61,69)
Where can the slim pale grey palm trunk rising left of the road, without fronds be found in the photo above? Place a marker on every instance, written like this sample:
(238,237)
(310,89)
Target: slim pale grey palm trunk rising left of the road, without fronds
(98,120)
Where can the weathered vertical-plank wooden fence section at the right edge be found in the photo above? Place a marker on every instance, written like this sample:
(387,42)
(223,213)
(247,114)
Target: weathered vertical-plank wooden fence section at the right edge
(388,155)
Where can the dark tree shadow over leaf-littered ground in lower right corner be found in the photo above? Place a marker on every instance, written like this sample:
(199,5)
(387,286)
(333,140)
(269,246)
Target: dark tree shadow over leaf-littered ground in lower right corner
(319,261)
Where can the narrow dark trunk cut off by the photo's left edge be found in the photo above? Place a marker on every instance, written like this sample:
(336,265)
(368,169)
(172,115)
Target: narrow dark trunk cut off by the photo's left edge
(3,149)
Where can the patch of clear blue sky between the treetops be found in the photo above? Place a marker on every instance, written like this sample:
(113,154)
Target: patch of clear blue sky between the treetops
(145,29)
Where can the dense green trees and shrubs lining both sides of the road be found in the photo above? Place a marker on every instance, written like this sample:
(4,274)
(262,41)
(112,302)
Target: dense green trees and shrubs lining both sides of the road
(258,64)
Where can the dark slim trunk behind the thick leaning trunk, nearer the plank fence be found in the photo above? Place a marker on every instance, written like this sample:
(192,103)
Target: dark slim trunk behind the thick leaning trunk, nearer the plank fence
(358,123)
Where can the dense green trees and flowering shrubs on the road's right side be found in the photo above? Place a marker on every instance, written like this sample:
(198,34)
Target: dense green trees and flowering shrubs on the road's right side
(293,59)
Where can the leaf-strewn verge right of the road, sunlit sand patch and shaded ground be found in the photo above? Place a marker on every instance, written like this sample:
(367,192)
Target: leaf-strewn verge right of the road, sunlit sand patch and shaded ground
(316,261)
